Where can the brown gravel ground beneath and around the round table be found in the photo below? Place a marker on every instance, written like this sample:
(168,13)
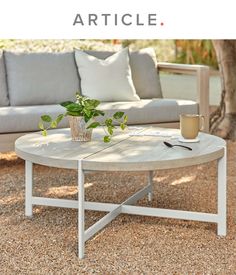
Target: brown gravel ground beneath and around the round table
(47,243)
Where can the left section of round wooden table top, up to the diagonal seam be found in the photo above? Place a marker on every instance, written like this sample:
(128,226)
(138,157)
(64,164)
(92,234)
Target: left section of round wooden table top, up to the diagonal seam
(58,150)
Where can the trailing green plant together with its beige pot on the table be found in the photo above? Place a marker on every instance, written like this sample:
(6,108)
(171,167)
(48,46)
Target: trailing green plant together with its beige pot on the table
(82,119)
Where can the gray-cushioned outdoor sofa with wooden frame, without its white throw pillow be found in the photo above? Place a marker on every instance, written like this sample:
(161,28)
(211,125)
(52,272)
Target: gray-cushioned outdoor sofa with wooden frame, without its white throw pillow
(32,84)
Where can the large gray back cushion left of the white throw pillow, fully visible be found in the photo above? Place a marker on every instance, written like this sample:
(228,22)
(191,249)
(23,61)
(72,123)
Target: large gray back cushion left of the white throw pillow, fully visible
(41,78)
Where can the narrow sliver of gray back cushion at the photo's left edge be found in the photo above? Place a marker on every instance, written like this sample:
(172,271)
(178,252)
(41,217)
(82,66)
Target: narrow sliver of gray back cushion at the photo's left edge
(4,101)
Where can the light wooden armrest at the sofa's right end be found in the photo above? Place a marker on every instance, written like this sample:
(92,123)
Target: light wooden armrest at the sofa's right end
(202,77)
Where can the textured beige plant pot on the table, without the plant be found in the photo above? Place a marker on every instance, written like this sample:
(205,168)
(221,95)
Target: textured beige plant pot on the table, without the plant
(79,131)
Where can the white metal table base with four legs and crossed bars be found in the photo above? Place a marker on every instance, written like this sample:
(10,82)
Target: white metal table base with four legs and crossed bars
(126,207)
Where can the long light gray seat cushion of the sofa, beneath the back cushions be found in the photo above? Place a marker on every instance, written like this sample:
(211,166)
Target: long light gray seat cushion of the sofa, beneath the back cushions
(145,111)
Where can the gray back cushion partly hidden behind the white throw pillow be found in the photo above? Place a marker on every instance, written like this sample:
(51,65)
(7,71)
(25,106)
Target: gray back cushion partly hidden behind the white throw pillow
(144,71)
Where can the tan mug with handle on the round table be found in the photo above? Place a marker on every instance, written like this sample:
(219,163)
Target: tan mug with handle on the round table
(190,125)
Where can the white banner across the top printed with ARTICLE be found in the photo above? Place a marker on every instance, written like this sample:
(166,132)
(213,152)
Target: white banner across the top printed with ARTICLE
(107,19)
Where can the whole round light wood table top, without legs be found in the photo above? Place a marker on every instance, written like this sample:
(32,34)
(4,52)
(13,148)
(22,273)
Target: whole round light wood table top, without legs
(124,153)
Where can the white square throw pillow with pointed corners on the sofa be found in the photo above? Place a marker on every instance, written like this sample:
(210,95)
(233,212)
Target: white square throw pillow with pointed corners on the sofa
(106,80)
